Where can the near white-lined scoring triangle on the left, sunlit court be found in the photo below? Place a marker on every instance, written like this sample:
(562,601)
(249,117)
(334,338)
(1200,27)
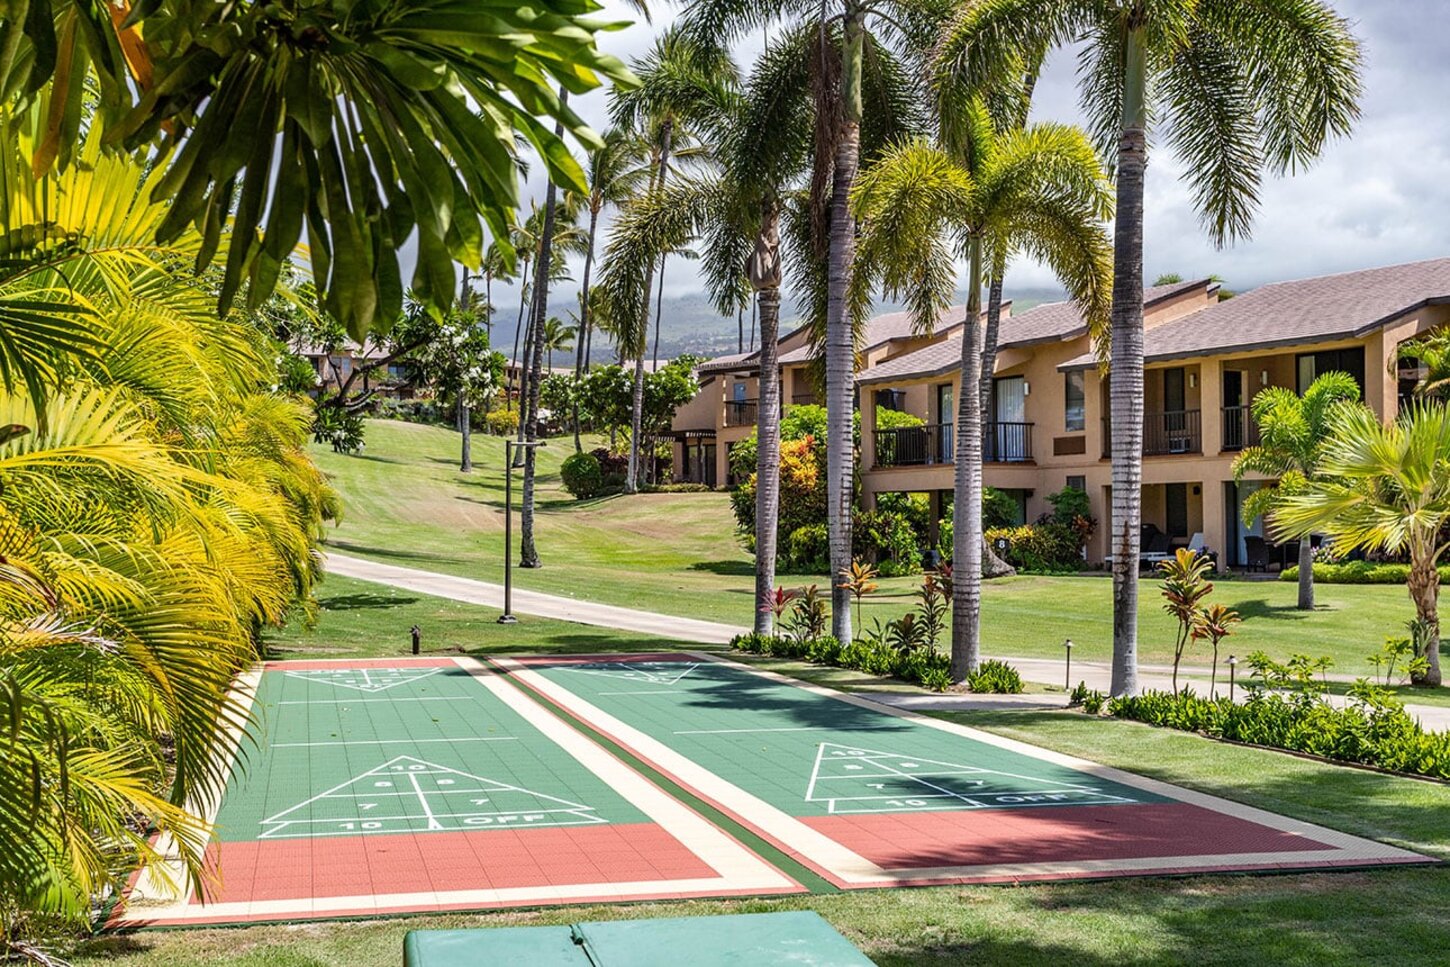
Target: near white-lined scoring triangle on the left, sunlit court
(411,795)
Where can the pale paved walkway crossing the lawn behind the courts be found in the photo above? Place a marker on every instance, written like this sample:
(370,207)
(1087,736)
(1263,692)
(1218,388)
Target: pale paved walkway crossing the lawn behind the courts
(1040,671)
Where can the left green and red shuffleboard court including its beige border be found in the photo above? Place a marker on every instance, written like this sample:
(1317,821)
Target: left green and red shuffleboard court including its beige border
(428,785)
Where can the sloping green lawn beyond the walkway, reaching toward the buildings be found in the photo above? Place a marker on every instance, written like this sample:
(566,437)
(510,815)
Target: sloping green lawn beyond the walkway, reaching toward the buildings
(407,504)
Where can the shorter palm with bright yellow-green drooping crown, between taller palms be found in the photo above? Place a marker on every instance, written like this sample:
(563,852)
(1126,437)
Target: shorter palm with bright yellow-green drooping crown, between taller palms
(1040,191)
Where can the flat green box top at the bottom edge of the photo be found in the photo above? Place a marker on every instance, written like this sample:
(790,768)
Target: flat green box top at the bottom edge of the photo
(743,940)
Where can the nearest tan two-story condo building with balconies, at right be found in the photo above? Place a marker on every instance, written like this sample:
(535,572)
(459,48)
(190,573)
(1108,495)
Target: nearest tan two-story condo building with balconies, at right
(1048,423)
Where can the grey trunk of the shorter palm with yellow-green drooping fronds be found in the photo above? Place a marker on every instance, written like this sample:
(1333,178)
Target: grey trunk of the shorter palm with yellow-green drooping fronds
(966,514)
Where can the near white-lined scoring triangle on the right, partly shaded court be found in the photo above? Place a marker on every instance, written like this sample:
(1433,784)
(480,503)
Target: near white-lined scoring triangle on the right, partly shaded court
(859,781)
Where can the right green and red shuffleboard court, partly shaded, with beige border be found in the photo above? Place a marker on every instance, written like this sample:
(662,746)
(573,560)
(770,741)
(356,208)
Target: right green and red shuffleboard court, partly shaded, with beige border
(874,797)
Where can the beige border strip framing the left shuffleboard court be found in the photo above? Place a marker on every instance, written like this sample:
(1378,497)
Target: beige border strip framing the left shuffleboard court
(739,871)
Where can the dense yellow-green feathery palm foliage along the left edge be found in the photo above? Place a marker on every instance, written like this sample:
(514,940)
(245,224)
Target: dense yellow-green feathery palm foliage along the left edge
(160,514)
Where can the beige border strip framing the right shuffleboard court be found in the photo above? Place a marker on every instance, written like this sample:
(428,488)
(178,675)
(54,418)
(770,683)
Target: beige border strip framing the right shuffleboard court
(852,871)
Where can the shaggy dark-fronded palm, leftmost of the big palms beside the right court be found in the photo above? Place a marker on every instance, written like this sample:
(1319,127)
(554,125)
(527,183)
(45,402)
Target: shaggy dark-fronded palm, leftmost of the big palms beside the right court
(762,154)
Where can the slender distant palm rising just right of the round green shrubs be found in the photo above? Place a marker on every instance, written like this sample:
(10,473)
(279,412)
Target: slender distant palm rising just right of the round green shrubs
(682,79)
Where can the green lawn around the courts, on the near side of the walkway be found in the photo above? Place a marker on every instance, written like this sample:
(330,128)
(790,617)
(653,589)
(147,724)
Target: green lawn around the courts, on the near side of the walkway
(1388,917)
